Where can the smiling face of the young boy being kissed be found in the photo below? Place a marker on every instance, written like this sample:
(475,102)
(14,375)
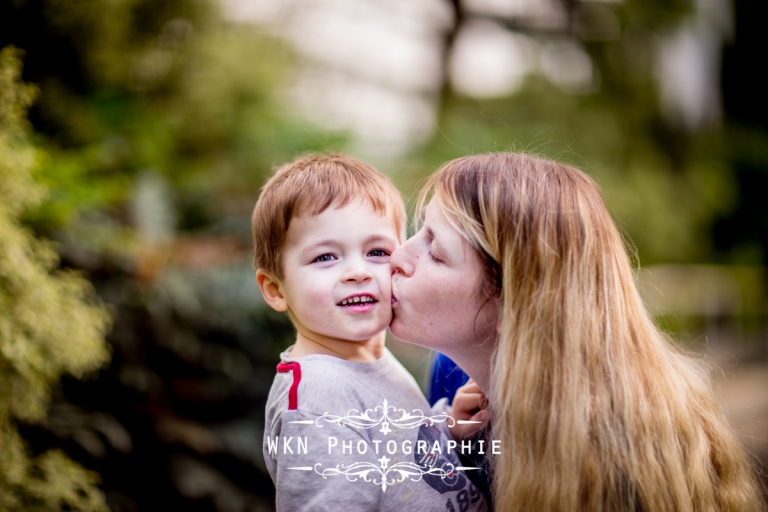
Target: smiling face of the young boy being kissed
(337,280)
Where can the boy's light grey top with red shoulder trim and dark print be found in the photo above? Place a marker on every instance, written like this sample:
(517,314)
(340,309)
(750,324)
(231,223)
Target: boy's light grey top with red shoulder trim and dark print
(343,435)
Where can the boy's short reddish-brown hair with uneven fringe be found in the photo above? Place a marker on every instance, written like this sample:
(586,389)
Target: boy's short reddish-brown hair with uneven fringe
(308,186)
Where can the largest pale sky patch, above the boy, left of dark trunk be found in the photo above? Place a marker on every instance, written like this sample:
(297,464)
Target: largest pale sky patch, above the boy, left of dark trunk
(371,68)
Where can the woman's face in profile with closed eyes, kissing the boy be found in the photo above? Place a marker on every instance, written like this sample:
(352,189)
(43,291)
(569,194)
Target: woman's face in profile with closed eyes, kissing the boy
(436,299)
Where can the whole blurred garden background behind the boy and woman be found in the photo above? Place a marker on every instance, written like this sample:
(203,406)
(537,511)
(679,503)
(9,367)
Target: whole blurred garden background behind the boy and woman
(135,135)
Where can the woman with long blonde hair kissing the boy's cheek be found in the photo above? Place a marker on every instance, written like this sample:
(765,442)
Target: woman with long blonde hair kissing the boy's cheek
(519,275)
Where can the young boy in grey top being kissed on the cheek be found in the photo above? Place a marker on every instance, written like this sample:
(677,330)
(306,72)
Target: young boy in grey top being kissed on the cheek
(347,427)
